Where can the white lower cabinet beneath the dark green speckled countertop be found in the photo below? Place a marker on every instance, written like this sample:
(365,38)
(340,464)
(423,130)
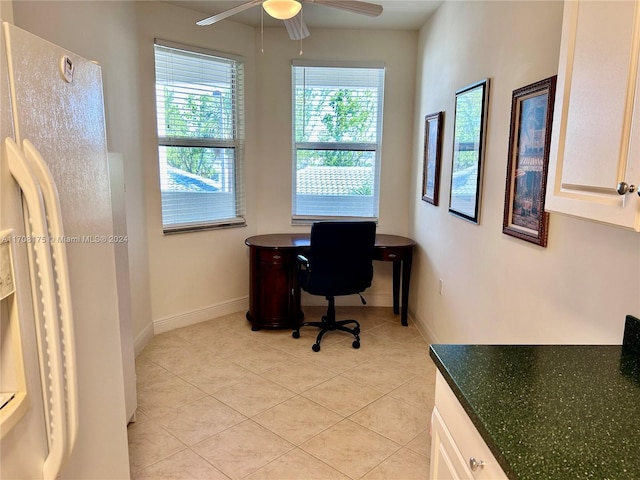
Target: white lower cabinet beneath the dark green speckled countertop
(457,449)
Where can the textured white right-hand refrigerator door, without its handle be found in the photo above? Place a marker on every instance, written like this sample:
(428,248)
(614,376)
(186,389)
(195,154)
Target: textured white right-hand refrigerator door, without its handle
(65,122)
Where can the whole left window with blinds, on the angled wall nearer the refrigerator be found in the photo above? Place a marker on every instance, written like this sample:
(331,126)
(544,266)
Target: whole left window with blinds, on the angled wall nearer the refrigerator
(199,106)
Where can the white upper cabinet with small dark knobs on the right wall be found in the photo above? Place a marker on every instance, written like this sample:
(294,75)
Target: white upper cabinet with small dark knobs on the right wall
(595,142)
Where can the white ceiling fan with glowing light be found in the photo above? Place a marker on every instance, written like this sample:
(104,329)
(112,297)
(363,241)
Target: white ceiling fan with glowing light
(289,11)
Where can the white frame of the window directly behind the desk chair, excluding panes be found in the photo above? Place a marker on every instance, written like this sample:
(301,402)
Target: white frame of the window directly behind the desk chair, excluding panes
(375,147)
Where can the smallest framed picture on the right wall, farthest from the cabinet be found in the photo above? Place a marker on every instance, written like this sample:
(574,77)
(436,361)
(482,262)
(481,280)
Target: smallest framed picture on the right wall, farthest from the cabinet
(432,157)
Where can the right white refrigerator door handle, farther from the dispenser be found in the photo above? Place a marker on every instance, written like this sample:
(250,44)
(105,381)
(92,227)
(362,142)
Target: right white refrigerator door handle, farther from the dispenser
(61,268)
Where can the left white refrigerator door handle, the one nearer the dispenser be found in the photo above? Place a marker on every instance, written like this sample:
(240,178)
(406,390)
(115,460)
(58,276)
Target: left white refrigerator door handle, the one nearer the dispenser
(37,230)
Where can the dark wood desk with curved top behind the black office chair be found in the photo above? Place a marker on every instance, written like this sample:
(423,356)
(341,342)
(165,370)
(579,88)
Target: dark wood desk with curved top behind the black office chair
(274,293)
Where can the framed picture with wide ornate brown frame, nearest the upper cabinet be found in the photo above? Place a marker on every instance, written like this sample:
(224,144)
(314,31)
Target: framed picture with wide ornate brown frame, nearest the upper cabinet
(528,162)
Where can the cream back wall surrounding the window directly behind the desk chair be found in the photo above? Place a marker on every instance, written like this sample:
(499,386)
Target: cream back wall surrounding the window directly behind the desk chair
(397,50)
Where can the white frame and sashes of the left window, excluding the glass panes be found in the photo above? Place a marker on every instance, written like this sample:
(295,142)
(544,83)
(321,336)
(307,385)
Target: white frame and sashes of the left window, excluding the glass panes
(236,144)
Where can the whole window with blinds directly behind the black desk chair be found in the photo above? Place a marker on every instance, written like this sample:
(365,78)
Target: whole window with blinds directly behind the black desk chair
(337,134)
